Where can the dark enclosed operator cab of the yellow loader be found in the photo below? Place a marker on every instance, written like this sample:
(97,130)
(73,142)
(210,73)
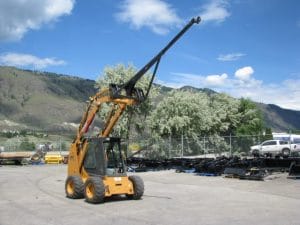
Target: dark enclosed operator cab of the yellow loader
(107,150)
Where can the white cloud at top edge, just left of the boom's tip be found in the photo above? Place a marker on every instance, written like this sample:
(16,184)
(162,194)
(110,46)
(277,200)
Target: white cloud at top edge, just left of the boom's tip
(156,15)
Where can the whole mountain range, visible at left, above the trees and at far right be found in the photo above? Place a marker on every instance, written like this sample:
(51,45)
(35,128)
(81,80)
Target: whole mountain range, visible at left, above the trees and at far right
(54,102)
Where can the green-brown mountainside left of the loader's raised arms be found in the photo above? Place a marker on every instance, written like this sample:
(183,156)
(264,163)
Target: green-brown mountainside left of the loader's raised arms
(41,100)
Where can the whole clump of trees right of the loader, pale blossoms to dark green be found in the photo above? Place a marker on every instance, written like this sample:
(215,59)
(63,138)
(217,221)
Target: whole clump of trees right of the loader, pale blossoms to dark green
(195,115)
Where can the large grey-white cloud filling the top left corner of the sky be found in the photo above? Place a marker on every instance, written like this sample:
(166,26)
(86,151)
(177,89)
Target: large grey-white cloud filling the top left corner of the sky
(19,16)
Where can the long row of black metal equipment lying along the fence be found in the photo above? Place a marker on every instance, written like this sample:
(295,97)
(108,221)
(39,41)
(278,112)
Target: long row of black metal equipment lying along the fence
(234,167)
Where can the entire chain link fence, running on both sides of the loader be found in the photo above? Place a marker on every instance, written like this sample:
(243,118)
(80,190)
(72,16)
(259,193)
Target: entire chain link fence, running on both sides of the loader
(153,148)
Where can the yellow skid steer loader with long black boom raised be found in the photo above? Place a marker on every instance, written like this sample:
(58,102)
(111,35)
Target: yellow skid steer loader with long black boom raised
(96,167)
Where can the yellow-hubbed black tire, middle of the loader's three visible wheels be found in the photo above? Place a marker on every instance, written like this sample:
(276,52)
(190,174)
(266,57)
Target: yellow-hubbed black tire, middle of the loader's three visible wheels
(94,190)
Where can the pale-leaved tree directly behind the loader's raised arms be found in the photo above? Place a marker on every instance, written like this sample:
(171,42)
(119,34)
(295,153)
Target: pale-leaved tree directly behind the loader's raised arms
(134,116)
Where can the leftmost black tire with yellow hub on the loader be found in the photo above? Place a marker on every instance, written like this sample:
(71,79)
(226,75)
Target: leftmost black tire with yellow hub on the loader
(74,187)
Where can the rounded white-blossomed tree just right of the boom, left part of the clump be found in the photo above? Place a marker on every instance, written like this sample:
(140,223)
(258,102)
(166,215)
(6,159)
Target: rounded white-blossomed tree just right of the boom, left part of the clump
(182,112)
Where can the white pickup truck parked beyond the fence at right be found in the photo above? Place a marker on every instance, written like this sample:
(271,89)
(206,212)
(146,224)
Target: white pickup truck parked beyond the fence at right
(274,148)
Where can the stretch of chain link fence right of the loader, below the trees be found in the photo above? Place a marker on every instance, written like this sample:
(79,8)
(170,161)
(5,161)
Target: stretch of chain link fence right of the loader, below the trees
(184,147)
